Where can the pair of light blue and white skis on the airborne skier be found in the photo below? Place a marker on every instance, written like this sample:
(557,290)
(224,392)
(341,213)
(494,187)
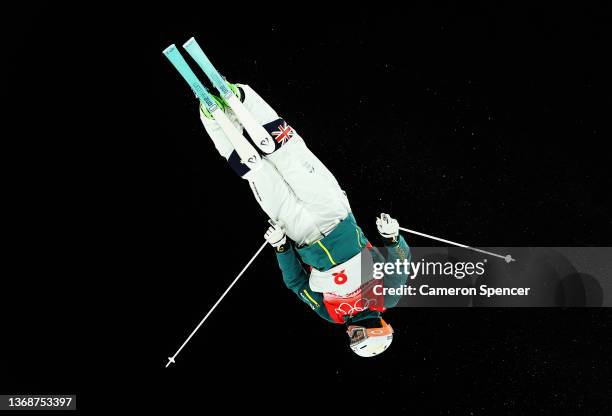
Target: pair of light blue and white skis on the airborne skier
(247,153)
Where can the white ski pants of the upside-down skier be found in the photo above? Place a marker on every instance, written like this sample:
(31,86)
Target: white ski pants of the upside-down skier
(293,186)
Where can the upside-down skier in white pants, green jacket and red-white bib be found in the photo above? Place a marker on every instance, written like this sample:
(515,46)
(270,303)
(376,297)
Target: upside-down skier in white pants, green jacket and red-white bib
(321,251)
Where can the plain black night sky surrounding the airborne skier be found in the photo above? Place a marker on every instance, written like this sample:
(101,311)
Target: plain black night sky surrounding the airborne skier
(486,125)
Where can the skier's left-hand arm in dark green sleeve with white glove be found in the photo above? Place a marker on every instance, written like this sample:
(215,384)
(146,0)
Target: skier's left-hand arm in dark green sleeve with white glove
(294,275)
